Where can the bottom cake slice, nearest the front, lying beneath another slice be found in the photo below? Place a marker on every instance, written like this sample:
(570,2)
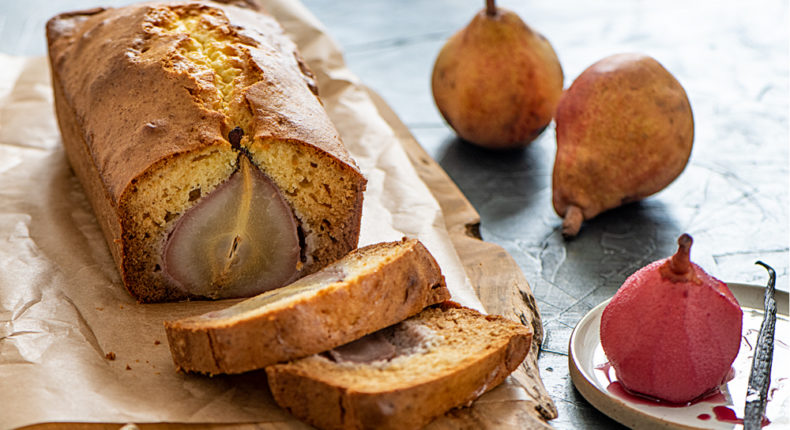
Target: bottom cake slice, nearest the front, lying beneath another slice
(404,376)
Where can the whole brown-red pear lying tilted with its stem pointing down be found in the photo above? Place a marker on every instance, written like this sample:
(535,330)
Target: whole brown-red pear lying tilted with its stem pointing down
(624,131)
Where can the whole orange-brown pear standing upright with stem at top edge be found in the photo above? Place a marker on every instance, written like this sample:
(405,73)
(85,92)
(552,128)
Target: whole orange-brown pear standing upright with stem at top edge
(497,81)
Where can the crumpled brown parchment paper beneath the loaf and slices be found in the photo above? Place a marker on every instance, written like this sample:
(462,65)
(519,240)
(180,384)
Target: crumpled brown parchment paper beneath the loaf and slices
(64,312)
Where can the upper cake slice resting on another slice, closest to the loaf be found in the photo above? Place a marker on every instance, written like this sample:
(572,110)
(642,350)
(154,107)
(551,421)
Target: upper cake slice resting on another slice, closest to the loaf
(368,289)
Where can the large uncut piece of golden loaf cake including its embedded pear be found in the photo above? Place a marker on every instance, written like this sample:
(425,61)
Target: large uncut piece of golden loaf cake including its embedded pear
(198,136)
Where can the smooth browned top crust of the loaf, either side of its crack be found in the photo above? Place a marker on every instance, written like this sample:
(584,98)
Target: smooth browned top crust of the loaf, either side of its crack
(126,73)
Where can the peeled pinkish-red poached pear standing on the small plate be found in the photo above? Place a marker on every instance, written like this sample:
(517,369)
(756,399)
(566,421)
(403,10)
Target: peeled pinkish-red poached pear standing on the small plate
(672,331)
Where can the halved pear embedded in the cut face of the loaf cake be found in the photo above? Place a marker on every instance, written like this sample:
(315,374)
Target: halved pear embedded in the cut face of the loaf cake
(239,240)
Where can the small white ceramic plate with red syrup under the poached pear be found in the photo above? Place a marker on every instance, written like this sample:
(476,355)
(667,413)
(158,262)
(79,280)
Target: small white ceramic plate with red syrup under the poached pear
(598,384)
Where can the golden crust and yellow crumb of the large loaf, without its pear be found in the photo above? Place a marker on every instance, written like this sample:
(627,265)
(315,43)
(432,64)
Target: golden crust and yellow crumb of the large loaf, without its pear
(146,96)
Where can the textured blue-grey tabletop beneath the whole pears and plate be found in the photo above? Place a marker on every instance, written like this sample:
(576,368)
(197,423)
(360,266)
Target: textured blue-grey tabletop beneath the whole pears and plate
(732,59)
